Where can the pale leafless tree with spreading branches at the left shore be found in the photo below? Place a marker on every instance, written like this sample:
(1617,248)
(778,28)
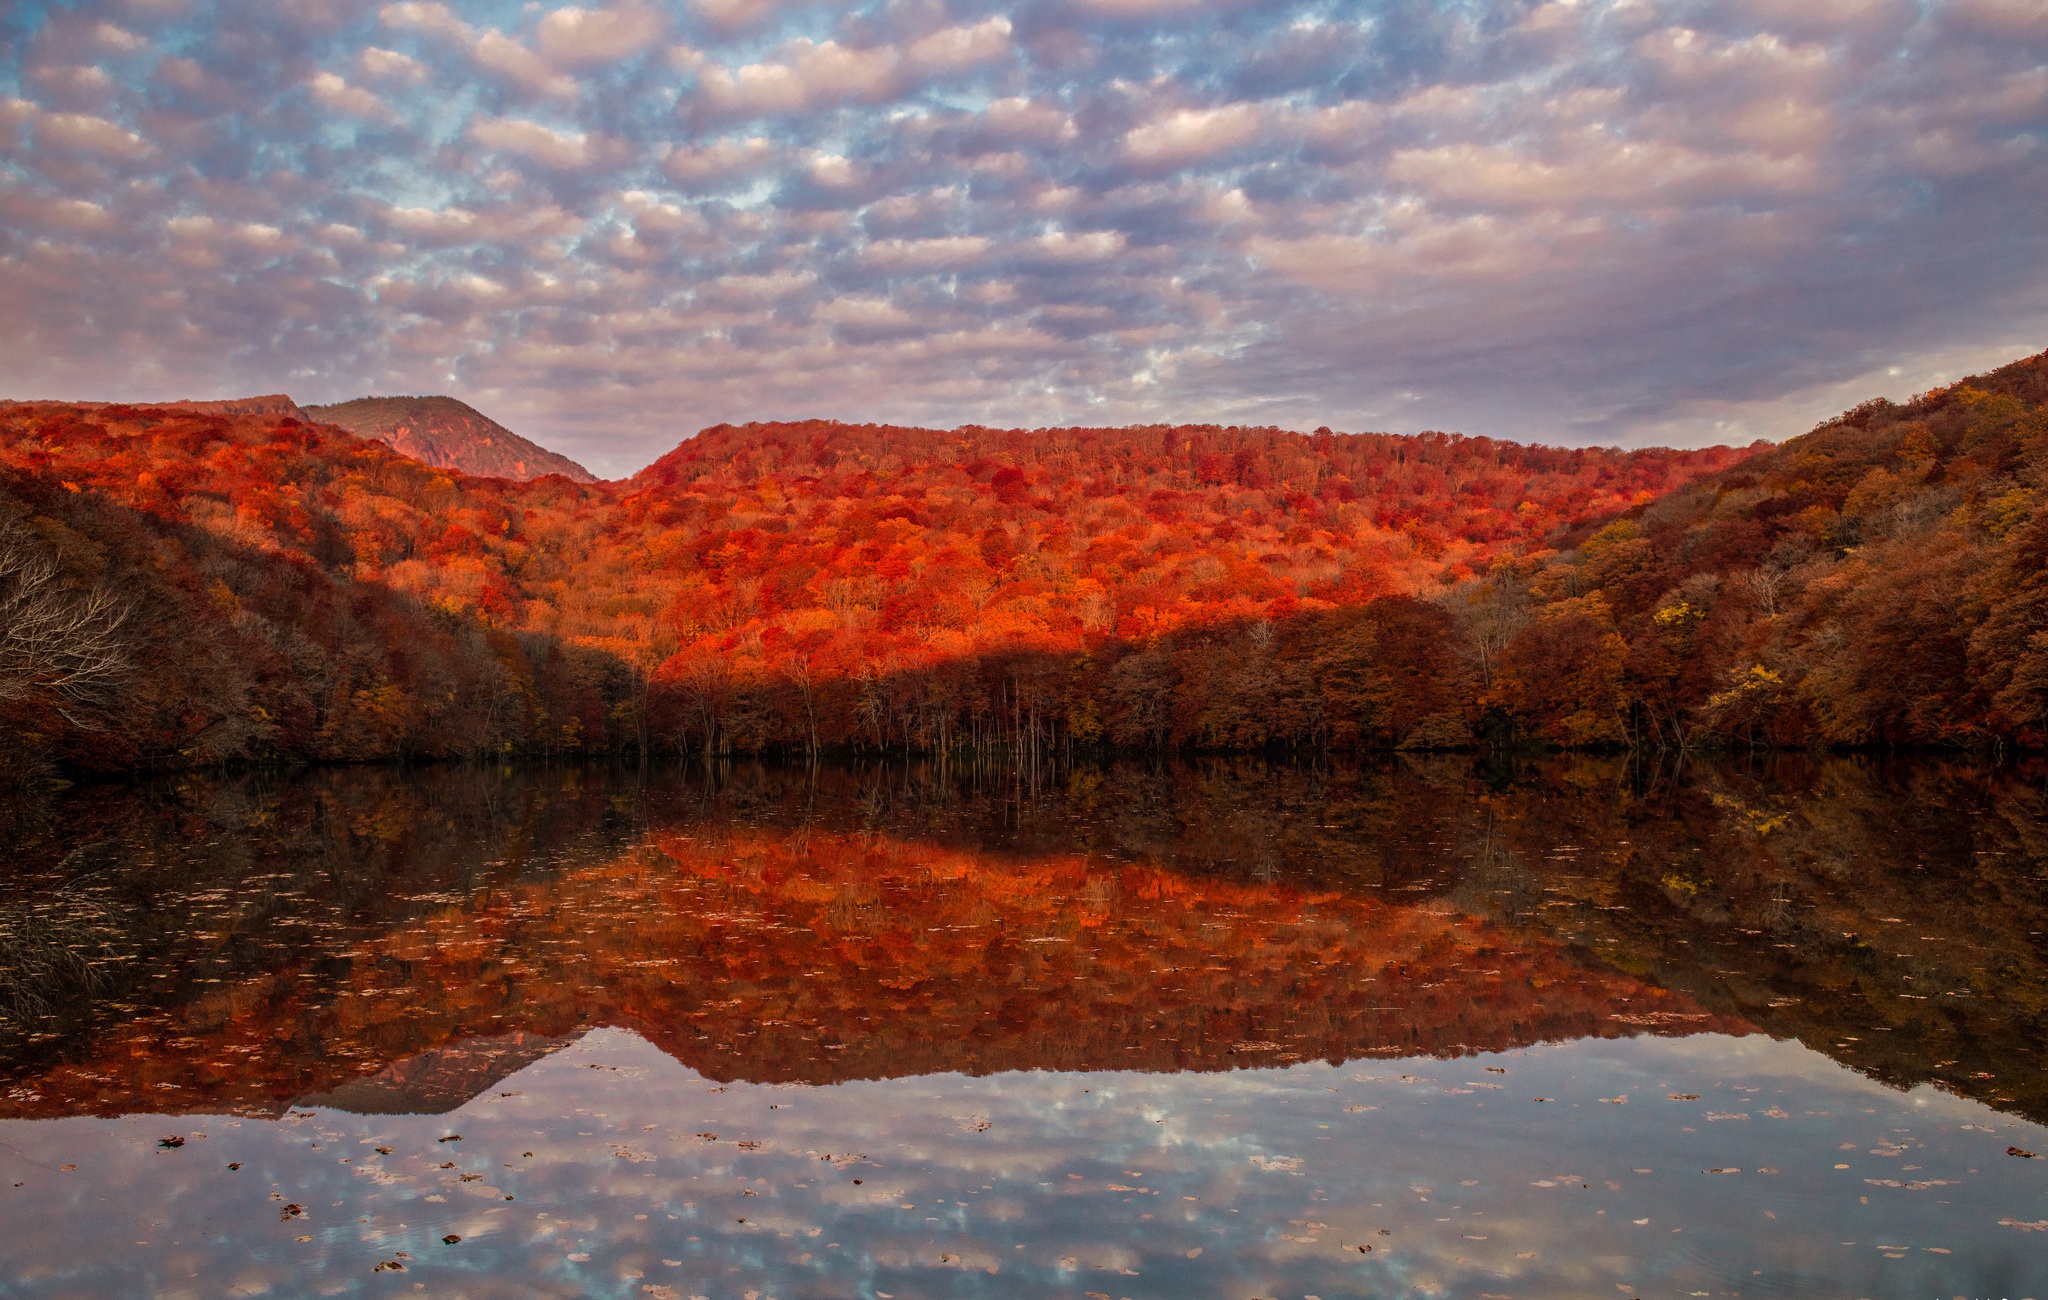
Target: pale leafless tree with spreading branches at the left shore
(60,646)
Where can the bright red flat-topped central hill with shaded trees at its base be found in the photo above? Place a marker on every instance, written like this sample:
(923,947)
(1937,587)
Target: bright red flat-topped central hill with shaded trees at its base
(898,587)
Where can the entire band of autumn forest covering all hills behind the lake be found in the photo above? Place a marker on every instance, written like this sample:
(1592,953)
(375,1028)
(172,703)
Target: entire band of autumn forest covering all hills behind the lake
(196,589)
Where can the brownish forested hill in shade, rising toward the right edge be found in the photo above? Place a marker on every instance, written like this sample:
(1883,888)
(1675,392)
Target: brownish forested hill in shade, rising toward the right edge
(1881,580)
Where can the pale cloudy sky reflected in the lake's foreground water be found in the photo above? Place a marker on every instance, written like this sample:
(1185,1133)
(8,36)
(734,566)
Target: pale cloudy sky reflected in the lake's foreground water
(591,1174)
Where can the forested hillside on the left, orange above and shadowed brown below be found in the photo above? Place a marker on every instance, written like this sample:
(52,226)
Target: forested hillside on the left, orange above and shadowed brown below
(185,589)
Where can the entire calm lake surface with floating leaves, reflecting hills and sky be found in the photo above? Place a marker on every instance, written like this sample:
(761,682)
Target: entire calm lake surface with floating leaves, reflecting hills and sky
(1234,1031)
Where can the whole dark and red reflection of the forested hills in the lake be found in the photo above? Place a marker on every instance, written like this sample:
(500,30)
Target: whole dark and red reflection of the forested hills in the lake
(370,939)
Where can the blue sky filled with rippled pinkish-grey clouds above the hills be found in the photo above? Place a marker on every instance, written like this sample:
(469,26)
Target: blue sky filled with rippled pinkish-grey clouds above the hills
(1590,222)
